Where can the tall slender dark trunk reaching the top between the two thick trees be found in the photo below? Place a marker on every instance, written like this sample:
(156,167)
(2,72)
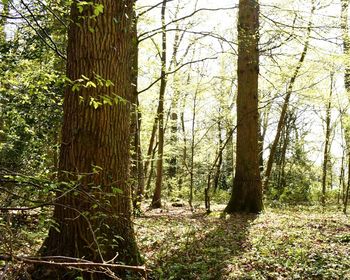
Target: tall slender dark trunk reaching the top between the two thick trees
(157,196)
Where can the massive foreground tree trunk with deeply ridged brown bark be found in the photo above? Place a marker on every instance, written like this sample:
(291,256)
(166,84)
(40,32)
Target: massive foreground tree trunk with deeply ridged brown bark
(92,212)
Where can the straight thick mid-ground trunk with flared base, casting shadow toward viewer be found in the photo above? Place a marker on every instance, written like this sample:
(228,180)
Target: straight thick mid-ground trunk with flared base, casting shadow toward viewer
(247,192)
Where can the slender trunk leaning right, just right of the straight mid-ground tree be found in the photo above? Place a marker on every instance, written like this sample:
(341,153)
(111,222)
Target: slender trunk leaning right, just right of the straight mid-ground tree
(281,122)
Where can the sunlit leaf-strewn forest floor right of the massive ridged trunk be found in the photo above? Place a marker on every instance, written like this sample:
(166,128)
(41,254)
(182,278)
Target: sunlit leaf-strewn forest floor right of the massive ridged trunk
(289,243)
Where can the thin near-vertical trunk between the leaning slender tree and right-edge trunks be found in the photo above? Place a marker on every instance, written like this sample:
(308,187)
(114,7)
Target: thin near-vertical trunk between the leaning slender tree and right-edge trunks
(326,145)
